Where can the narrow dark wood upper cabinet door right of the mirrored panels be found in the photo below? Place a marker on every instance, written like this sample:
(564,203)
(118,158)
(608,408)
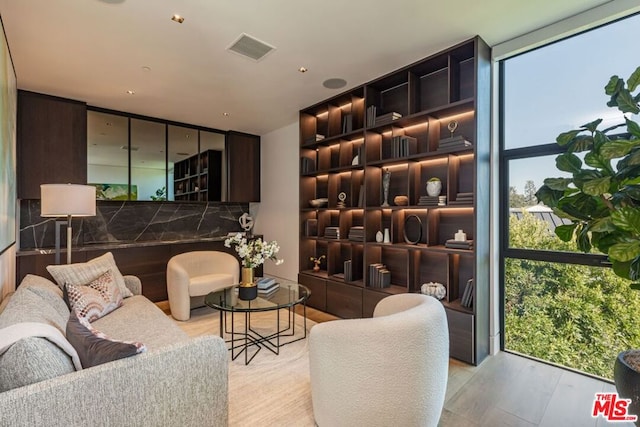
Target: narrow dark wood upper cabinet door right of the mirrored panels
(243,165)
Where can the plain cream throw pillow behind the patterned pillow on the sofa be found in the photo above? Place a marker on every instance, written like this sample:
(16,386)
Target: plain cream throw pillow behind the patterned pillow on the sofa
(84,272)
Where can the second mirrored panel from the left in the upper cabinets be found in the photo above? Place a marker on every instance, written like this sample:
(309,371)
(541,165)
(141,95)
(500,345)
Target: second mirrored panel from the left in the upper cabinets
(148,161)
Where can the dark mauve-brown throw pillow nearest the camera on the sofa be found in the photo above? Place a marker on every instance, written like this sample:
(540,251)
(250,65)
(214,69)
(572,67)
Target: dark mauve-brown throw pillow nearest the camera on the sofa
(94,347)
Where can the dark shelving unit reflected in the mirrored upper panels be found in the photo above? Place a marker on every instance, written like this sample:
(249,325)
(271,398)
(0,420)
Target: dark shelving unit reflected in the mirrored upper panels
(199,177)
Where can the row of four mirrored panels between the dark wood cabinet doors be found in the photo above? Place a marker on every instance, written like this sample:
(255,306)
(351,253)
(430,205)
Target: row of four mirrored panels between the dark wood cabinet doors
(135,158)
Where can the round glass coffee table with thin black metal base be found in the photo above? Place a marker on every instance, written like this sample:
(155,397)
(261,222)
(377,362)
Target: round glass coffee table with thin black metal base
(284,298)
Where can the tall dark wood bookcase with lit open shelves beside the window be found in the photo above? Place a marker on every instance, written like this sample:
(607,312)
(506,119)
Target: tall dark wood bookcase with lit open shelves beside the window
(427,120)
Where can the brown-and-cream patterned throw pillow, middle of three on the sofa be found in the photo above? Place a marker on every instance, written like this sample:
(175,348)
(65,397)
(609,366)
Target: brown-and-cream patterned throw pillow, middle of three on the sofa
(96,299)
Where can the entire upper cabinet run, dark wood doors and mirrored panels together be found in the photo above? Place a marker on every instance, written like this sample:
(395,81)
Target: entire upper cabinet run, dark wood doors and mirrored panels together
(130,157)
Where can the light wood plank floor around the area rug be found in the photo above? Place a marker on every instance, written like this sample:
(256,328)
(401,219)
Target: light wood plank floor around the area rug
(506,390)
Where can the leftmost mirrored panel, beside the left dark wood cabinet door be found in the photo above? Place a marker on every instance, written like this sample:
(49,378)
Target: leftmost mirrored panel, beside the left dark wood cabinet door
(108,155)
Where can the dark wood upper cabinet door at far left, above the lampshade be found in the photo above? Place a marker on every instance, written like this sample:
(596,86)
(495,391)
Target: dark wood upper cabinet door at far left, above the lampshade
(52,142)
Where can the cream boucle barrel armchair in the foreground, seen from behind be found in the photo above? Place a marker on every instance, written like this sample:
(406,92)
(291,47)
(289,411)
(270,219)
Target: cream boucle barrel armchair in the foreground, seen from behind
(389,370)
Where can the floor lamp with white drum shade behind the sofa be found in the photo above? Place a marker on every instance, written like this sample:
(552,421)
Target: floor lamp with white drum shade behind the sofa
(60,200)
